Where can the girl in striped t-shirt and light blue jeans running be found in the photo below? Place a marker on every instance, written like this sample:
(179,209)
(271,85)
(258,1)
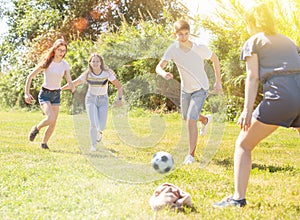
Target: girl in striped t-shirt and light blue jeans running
(96,100)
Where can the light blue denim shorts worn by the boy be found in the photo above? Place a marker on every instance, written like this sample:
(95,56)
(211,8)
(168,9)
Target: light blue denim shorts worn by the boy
(192,104)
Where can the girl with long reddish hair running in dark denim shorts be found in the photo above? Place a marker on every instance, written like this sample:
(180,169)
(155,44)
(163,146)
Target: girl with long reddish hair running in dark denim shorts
(54,68)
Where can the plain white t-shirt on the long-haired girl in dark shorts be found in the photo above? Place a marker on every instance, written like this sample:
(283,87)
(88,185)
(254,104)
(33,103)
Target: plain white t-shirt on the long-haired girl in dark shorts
(54,73)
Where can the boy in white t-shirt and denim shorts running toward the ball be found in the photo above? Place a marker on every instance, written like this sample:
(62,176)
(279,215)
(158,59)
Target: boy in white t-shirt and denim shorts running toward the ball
(189,59)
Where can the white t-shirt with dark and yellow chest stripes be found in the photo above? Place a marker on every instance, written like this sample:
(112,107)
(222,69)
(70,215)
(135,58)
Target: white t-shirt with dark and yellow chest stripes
(98,84)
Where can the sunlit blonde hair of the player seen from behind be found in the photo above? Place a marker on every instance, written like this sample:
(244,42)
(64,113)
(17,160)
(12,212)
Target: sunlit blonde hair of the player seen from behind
(261,19)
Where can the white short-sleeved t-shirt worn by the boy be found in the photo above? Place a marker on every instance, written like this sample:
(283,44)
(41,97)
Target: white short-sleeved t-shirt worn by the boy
(190,65)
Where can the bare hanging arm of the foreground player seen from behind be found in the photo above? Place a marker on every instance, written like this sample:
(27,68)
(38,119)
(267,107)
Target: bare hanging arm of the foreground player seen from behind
(251,88)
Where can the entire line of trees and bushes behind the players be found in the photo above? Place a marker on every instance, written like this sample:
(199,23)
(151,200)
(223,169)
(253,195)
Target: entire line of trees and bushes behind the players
(131,35)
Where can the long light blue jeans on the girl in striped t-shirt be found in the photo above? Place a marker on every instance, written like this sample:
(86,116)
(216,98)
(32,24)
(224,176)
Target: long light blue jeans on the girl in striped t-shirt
(97,109)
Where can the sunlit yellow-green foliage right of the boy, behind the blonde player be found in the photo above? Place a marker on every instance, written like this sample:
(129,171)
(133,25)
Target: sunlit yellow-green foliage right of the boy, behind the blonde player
(228,27)
